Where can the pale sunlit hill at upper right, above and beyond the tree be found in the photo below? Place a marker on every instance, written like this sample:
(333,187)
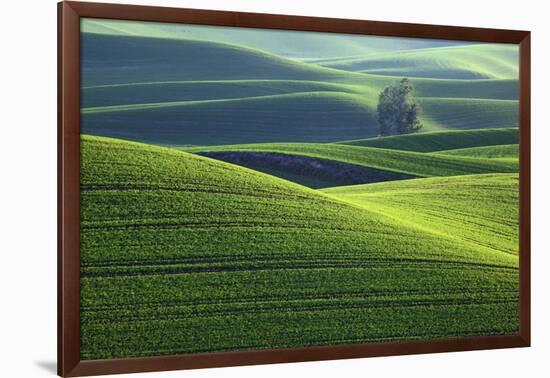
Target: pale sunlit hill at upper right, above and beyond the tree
(485,61)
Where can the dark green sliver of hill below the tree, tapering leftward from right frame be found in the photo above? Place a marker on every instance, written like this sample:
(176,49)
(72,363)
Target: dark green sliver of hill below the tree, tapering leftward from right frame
(442,140)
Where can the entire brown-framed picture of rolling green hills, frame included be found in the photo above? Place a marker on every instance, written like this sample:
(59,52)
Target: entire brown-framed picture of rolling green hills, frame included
(239,188)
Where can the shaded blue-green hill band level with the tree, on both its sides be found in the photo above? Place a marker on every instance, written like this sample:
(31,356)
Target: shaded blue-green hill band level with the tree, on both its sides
(300,117)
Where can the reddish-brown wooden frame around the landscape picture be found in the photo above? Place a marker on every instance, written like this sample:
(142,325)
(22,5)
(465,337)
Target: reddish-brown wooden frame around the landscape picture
(69,14)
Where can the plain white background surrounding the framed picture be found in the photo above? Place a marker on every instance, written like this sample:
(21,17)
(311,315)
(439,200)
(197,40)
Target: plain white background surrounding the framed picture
(28,187)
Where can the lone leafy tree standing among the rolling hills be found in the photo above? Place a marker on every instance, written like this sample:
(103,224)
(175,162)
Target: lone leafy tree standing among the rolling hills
(397,111)
